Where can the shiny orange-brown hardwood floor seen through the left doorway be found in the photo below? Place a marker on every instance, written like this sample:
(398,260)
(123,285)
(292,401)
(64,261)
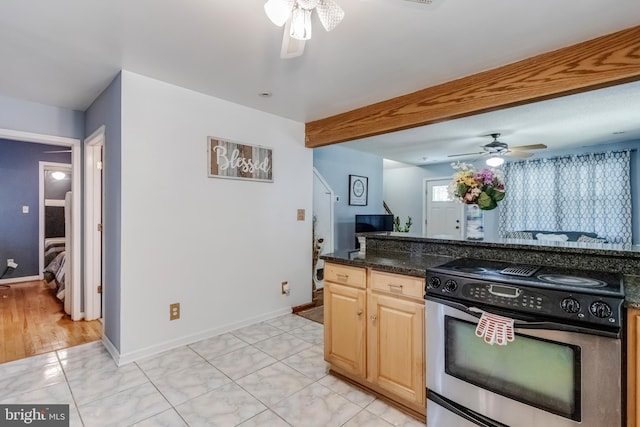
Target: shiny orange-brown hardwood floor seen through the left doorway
(33,321)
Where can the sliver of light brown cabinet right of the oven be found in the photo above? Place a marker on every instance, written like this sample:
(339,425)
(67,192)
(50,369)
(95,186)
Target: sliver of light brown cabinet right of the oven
(633,368)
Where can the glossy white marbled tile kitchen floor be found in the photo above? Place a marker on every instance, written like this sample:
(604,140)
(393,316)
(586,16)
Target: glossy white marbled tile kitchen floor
(268,374)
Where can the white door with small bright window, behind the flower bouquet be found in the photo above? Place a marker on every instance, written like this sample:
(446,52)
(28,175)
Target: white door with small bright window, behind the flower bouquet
(443,214)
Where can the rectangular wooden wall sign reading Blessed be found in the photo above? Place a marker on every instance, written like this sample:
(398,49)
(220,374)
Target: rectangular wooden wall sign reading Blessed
(232,160)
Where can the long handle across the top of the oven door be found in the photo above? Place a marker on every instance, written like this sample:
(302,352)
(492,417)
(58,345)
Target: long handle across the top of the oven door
(520,323)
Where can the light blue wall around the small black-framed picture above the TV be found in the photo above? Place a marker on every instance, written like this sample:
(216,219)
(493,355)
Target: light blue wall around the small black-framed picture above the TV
(335,164)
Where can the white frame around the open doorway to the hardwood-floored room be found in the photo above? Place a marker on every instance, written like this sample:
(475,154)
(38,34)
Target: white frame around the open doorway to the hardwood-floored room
(76,196)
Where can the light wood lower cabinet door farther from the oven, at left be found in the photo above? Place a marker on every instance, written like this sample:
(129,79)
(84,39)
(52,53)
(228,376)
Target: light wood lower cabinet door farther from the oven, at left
(344,327)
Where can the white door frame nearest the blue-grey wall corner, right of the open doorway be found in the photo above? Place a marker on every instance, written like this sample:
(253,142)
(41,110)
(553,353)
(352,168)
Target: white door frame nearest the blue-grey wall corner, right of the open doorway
(93,216)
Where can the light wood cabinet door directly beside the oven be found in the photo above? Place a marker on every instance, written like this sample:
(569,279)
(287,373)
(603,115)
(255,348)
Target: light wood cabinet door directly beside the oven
(396,346)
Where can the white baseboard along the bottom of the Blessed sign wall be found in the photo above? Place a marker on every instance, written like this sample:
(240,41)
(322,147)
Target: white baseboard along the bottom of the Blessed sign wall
(128,357)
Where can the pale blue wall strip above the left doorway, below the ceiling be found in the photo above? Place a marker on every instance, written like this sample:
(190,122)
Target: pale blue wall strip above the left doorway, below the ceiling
(31,117)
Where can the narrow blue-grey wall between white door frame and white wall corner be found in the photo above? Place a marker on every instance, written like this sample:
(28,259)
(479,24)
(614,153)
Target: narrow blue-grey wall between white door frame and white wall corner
(107,110)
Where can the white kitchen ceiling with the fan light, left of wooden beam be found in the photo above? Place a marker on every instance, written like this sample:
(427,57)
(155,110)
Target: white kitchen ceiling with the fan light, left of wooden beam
(65,52)
